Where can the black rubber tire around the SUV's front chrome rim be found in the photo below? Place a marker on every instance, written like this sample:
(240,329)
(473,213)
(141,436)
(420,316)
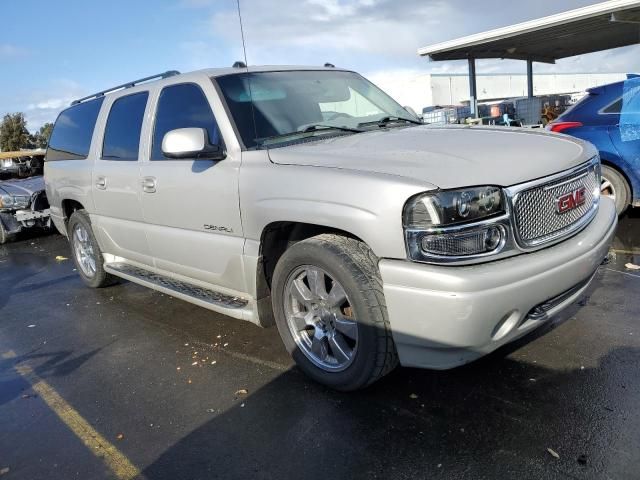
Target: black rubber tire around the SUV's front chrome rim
(355,267)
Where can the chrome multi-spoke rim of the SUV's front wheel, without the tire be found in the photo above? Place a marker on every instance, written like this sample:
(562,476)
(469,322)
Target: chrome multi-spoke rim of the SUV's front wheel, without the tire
(320,318)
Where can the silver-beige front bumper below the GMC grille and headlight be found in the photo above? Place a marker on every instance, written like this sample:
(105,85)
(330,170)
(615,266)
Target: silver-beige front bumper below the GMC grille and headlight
(445,316)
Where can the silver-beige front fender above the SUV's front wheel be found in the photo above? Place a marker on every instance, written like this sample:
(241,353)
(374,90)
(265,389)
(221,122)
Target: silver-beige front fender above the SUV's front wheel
(367,205)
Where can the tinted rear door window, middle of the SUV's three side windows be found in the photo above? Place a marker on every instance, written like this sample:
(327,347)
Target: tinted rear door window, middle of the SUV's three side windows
(122,133)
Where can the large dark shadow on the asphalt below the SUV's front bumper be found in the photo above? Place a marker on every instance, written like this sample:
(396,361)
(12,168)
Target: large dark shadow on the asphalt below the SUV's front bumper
(491,419)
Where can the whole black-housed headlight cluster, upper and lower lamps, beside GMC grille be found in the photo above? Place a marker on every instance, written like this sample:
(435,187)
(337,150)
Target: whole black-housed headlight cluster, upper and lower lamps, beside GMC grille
(453,225)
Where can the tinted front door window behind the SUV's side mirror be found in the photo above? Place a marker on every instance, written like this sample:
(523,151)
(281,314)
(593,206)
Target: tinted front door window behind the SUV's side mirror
(182,106)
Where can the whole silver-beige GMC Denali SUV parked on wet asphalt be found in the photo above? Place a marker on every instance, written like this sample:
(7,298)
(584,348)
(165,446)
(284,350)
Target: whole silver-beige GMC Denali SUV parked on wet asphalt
(308,198)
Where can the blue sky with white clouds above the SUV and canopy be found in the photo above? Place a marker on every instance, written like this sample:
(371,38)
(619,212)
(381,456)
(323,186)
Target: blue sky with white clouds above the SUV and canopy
(71,48)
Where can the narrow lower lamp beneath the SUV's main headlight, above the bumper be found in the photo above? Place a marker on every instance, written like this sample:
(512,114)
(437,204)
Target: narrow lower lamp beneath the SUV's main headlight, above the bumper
(466,242)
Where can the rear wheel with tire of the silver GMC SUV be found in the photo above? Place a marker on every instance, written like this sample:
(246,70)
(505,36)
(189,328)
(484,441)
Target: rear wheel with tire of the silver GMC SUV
(86,251)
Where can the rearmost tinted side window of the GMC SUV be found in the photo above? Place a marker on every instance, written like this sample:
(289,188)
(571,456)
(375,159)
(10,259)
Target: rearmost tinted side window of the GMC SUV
(71,136)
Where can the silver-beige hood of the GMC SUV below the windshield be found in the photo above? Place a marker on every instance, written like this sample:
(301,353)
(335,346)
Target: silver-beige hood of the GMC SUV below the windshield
(448,157)
